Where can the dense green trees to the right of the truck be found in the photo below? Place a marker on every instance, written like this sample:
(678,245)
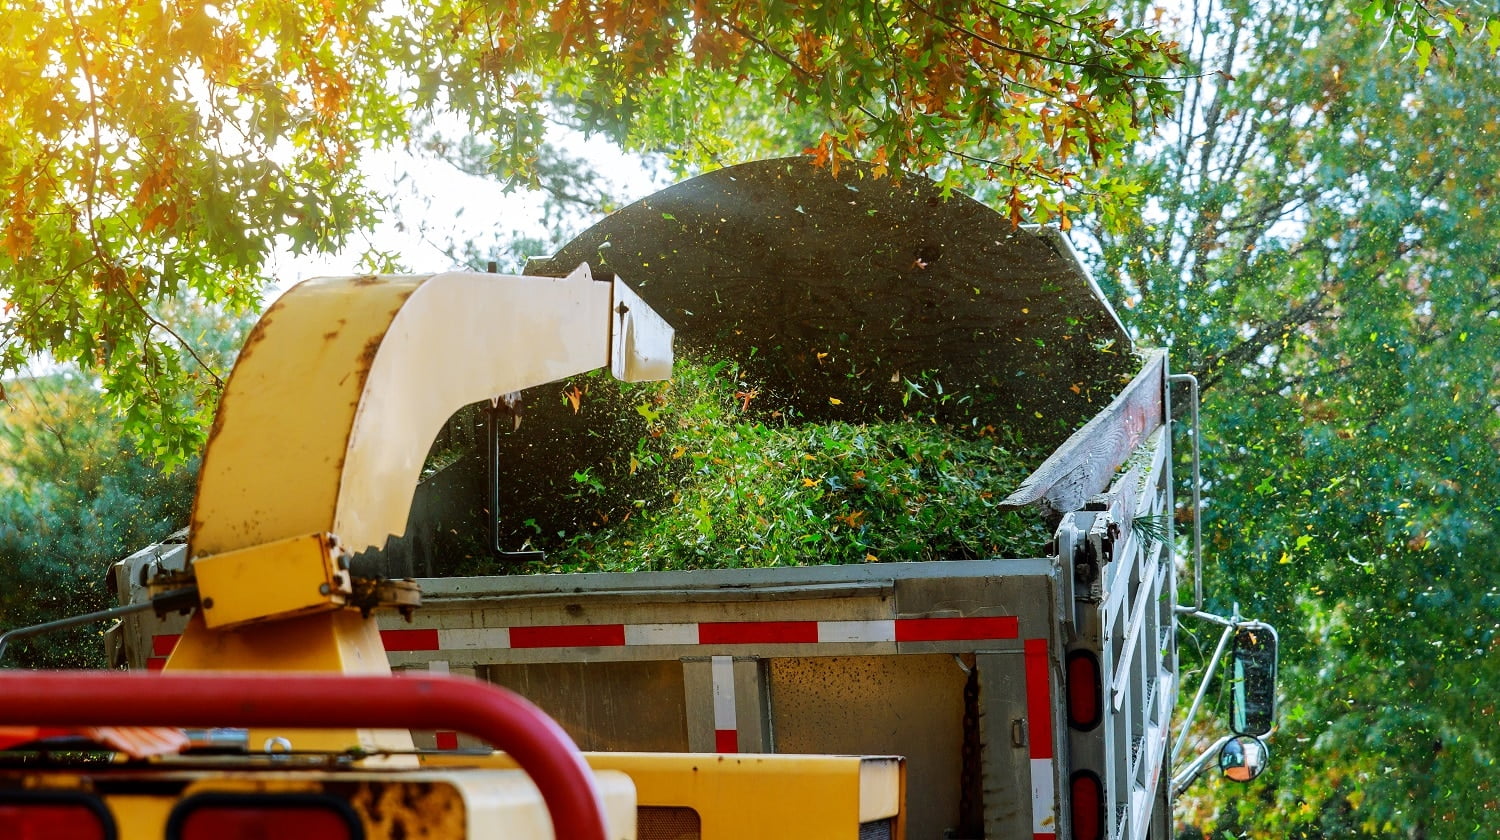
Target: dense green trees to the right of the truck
(1319,250)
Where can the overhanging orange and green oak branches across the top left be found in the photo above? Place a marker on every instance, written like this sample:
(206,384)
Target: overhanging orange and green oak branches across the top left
(157,146)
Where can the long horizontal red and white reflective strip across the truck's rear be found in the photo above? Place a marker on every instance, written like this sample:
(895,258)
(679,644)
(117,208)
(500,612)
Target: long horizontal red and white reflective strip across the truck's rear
(890,631)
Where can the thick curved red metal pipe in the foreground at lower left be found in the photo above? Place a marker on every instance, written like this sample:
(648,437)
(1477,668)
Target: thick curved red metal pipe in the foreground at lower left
(313,701)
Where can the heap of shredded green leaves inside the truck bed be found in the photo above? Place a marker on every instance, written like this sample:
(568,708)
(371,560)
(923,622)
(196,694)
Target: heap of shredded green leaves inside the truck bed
(722,478)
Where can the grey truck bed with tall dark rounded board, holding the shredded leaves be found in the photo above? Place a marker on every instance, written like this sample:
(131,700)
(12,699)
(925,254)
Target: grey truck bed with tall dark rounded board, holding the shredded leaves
(836,293)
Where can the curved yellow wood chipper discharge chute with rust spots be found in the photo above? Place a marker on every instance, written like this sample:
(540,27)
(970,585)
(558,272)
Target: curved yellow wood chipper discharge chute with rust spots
(320,440)
